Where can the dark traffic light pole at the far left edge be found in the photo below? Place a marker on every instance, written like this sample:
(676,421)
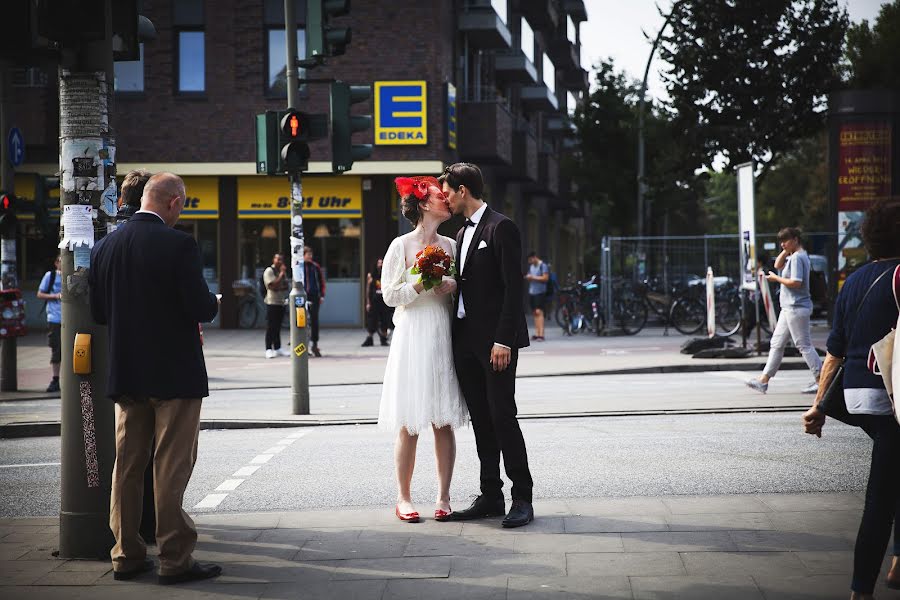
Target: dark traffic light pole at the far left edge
(9,381)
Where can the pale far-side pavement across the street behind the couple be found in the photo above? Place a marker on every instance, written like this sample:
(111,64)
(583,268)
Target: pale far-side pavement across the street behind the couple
(234,359)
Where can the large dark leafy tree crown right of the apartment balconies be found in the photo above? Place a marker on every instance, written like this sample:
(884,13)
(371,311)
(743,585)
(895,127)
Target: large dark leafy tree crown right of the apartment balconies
(748,79)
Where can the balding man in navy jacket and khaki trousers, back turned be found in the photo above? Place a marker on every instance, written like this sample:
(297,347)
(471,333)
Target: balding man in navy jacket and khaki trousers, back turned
(147,287)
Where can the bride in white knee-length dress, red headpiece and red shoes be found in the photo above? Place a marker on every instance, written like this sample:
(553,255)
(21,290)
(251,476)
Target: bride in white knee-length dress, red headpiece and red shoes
(420,386)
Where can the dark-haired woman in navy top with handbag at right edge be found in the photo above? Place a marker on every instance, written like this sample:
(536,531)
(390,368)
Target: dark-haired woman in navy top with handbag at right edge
(865,311)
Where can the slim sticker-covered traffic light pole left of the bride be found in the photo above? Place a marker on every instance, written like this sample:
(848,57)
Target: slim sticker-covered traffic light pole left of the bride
(299,331)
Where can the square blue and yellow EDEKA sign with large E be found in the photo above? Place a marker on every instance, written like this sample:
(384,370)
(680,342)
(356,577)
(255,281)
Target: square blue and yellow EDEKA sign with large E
(401,113)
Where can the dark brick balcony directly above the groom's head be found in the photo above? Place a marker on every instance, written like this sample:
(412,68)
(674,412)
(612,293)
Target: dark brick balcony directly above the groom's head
(485,128)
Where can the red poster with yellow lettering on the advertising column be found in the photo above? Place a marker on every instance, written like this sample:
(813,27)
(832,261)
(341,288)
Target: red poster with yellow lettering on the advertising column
(864,170)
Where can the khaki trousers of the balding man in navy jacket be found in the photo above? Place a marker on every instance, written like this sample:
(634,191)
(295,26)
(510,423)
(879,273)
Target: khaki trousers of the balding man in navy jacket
(176,426)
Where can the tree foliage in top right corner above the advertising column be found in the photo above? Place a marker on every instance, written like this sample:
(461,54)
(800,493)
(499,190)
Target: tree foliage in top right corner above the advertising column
(873,55)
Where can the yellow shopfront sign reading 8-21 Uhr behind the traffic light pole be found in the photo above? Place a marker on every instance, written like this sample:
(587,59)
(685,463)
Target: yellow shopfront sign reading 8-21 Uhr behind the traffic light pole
(323,197)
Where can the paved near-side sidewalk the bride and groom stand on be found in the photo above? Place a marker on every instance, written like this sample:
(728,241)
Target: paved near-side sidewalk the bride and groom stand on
(772,546)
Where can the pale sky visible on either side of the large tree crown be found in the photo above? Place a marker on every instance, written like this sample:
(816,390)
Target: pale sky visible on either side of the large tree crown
(614,28)
